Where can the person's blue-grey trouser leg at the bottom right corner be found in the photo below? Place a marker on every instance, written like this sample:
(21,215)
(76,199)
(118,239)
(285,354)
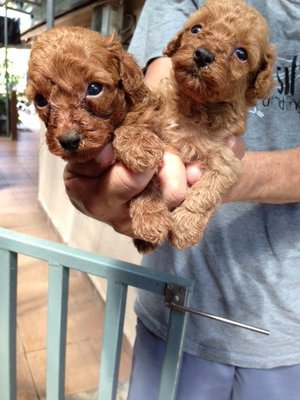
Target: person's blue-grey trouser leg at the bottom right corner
(281,383)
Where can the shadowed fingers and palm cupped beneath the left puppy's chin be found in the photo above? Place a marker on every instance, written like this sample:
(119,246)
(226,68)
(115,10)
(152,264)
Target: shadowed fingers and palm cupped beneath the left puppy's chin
(103,191)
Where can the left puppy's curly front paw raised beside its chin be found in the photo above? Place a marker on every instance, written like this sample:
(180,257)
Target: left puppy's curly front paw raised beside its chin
(139,148)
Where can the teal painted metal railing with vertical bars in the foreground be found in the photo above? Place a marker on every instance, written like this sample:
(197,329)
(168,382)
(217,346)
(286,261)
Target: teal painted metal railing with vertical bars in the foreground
(119,276)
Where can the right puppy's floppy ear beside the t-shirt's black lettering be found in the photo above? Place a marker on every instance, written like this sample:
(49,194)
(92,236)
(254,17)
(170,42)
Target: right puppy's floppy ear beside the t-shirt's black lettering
(263,82)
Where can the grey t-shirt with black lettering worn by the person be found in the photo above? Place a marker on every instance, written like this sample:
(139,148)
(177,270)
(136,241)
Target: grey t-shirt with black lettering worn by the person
(247,266)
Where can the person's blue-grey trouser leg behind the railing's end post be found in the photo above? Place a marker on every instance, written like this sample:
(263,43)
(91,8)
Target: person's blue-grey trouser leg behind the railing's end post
(199,379)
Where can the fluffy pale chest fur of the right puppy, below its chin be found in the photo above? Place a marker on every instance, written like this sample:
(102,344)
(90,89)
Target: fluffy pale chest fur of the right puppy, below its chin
(196,130)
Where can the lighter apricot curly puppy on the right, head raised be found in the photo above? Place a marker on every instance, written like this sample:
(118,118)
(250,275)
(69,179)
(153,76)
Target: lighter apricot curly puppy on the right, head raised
(222,64)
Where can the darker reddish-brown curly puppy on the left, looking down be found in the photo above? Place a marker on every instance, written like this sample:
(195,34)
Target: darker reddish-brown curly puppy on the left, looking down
(89,91)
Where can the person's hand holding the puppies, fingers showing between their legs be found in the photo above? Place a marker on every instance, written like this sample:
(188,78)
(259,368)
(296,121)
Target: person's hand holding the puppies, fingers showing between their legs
(103,189)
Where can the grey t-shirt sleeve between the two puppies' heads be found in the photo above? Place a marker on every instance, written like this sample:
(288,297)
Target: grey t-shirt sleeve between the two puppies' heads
(159,21)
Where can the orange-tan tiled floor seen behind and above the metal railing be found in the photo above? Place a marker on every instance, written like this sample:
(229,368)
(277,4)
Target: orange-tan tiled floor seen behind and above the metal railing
(19,210)
